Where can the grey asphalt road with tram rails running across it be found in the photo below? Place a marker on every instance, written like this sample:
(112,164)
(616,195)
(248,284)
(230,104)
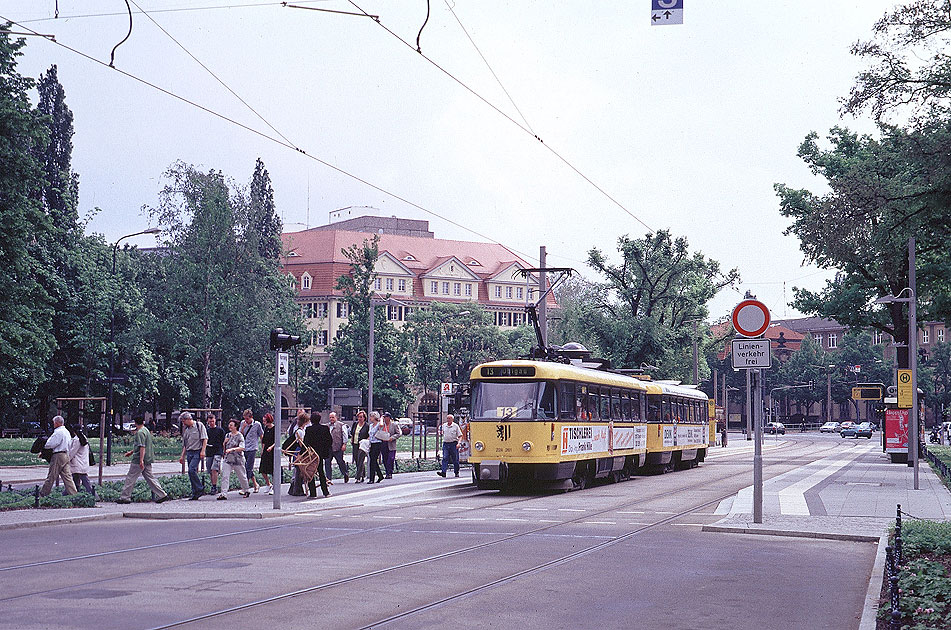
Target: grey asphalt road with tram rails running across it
(619,555)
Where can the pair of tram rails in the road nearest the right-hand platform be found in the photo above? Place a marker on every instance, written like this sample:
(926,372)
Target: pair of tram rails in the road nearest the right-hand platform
(376,573)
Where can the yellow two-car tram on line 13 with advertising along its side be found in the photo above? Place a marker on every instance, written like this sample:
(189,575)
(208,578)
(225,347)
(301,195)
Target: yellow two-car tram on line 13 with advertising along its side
(543,422)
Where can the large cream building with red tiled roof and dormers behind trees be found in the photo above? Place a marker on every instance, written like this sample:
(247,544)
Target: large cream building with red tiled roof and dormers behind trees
(416,270)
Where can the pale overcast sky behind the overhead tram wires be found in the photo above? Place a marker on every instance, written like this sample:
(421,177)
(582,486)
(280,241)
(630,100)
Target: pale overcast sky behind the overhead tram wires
(688,127)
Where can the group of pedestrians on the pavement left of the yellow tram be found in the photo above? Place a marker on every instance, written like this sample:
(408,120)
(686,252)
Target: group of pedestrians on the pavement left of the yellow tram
(234,448)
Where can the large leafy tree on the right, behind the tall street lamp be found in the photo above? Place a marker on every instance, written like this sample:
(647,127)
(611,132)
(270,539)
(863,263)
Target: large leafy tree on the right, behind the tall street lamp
(881,192)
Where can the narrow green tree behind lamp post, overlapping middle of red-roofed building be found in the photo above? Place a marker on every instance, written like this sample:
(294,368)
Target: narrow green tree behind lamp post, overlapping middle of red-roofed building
(347,365)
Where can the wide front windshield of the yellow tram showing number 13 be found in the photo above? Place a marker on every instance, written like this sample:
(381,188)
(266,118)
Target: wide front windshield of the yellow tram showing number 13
(513,401)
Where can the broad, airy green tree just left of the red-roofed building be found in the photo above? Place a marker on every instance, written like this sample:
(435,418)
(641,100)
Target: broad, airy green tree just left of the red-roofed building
(221,296)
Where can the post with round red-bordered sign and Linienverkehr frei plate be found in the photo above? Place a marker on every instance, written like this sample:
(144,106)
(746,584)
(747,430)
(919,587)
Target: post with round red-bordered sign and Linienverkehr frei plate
(751,319)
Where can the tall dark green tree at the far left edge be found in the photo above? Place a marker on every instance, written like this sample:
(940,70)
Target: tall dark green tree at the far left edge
(26,309)
